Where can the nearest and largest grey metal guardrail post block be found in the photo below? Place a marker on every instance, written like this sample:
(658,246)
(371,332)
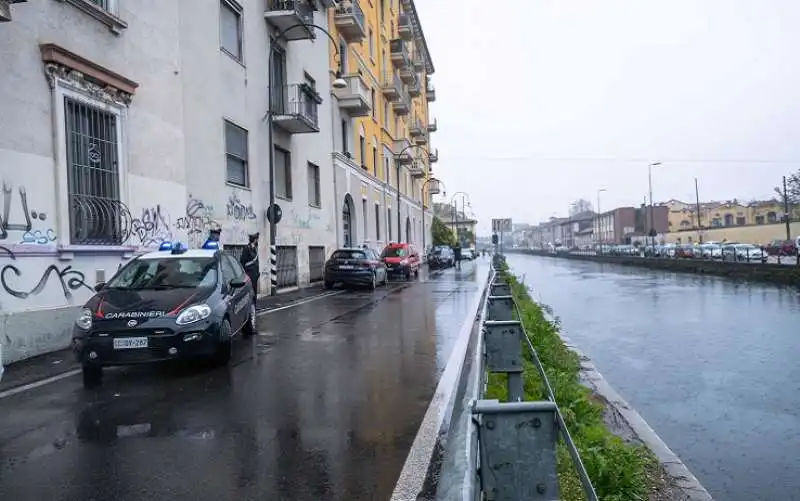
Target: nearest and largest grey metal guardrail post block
(517,450)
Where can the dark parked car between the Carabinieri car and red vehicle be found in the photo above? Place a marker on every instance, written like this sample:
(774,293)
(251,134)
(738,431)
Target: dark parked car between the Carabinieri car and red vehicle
(355,267)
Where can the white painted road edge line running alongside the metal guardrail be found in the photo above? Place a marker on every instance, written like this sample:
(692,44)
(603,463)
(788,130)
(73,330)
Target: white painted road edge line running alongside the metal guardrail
(415,469)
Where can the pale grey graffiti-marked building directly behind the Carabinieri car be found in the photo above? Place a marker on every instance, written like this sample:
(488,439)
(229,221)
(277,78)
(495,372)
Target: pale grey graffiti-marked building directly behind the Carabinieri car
(126,124)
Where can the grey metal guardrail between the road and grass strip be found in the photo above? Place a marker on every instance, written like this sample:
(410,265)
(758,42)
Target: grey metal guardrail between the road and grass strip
(516,454)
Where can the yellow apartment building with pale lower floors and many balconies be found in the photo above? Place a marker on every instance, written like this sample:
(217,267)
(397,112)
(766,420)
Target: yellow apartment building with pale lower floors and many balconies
(382,124)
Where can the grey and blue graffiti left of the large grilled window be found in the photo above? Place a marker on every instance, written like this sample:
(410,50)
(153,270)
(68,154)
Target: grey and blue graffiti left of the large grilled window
(17,225)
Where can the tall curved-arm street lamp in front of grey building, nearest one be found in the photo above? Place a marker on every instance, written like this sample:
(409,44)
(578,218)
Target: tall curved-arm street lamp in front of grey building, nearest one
(273,212)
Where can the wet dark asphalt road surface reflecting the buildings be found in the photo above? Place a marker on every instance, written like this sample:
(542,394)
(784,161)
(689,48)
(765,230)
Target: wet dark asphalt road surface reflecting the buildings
(322,405)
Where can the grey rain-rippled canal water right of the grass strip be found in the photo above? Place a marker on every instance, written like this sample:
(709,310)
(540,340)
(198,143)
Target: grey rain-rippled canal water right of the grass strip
(711,364)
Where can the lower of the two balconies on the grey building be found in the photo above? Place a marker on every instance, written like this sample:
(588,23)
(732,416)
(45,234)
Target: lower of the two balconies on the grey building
(296,109)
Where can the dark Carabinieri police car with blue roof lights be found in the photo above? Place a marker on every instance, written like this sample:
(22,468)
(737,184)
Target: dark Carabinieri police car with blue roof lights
(174,303)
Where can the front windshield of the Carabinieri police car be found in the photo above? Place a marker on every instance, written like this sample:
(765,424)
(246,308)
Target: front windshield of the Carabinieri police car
(166,273)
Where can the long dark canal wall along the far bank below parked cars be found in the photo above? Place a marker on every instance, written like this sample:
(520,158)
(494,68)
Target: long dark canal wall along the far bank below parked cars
(770,273)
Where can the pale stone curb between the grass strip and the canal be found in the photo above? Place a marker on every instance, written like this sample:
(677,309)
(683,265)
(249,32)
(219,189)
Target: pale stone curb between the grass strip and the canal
(678,472)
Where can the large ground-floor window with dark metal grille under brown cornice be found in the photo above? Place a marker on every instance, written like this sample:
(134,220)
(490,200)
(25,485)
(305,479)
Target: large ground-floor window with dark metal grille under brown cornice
(96,214)
